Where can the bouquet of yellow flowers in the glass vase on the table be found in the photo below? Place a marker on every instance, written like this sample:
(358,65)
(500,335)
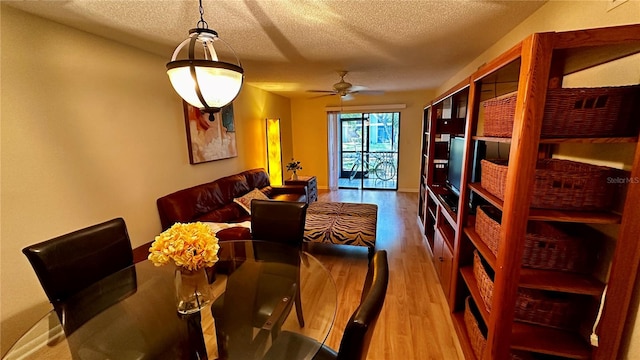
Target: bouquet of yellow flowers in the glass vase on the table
(192,246)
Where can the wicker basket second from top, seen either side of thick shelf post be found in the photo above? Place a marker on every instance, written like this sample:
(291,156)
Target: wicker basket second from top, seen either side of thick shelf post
(559,184)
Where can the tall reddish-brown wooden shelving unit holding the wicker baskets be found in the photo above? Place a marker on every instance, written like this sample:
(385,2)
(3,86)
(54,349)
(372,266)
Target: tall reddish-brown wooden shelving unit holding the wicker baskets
(538,63)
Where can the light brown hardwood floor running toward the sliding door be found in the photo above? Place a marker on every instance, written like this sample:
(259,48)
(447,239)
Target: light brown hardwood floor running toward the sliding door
(415,321)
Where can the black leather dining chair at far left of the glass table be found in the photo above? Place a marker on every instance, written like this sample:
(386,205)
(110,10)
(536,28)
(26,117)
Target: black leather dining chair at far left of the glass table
(70,263)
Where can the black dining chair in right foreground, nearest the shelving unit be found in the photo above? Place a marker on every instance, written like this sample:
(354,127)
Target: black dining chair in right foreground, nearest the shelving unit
(359,329)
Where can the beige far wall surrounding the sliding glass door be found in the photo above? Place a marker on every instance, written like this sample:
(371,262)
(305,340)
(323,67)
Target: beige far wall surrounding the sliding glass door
(310,133)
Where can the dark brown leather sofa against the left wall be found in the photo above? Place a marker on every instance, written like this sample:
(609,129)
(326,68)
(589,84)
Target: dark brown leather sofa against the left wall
(213,202)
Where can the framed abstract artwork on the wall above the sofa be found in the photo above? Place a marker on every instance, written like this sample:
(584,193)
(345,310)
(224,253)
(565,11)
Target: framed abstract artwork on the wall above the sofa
(210,140)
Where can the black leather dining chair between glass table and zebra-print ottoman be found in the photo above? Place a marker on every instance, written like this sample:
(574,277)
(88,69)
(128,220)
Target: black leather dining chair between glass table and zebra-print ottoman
(277,285)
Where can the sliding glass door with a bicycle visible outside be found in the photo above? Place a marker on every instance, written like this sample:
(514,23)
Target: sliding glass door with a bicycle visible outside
(369,150)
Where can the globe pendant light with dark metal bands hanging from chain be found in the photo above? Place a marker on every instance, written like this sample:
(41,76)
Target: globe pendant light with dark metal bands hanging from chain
(200,78)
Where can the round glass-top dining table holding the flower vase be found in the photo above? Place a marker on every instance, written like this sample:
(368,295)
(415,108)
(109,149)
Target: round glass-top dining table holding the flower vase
(132,314)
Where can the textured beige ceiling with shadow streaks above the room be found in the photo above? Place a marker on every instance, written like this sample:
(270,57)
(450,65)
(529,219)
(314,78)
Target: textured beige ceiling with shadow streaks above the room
(291,46)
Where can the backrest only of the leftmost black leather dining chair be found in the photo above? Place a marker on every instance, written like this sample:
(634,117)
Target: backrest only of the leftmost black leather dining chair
(71,262)
